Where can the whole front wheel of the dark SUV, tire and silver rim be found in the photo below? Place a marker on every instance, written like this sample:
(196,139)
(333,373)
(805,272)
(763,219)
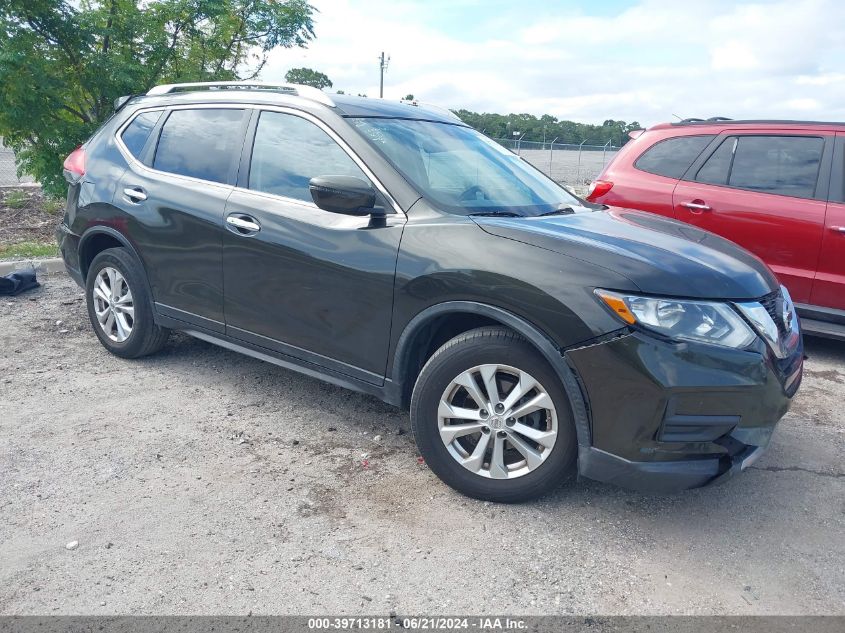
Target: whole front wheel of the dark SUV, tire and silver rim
(491,418)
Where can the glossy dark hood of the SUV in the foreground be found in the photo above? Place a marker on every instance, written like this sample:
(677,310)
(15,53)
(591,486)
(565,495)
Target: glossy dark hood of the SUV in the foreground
(660,256)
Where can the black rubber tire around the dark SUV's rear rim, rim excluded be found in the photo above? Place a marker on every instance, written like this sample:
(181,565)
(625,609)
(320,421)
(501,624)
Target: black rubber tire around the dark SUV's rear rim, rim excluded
(145,337)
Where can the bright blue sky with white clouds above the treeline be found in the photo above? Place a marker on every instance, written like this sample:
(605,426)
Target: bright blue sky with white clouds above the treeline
(646,61)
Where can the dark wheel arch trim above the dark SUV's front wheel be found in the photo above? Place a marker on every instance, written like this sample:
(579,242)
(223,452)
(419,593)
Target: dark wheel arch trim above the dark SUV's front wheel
(416,339)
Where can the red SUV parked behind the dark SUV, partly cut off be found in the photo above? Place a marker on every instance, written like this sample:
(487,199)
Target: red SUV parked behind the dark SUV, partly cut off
(775,187)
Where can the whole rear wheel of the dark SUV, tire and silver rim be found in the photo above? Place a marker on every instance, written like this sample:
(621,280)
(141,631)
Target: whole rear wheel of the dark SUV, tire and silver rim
(120,307)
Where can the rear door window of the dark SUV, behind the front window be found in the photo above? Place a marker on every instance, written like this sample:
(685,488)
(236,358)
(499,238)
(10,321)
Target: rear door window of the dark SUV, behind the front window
(201,143)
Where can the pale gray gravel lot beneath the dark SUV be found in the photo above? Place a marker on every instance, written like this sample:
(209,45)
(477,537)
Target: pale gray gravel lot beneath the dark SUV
(201,481)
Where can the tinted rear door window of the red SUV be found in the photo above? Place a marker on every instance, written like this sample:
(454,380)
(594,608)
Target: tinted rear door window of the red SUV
(785,165)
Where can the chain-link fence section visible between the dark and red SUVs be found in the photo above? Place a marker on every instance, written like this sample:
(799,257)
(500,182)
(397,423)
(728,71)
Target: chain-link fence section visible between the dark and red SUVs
(571,165)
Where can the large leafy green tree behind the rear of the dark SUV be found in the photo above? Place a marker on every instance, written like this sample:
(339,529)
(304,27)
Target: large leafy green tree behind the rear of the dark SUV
(63,63)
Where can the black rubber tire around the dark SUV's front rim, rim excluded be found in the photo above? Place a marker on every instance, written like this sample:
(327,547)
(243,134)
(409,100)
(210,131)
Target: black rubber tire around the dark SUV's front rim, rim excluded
(491,345)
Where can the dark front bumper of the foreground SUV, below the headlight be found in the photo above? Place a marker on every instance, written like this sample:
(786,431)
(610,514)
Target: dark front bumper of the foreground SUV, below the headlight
(667,416)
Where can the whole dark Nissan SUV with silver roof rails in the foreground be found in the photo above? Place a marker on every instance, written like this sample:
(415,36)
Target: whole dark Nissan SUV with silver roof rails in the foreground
(391,249)
